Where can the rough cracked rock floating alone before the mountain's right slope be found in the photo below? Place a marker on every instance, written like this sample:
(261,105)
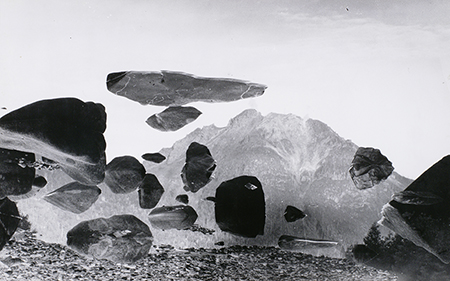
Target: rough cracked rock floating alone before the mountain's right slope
(369,167)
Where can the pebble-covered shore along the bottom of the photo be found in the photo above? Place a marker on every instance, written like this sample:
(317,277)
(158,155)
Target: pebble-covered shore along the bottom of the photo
(27,258)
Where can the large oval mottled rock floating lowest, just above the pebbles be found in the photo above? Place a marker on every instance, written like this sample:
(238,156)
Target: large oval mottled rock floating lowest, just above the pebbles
(122,238)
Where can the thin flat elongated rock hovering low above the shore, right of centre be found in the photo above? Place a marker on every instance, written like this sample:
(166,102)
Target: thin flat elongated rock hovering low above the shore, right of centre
(310,246)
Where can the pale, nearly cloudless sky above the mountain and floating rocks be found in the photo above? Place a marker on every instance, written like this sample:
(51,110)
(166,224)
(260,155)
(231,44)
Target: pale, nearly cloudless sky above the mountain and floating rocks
(377,72)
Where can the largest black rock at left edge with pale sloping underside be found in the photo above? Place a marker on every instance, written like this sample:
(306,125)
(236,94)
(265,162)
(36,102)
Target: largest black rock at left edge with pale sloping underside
(65,130)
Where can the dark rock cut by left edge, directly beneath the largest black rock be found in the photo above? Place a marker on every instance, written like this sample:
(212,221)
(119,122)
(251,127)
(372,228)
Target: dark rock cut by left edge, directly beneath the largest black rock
(16,177)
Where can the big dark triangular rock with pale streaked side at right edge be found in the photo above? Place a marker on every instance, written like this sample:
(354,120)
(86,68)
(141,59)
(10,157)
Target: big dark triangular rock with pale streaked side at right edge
(421,214)
